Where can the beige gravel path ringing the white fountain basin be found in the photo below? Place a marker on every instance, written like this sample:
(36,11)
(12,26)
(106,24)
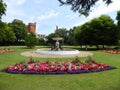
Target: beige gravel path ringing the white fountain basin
(33,54)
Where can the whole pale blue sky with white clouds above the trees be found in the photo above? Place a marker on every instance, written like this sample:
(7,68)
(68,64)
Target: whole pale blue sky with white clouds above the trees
(48,14)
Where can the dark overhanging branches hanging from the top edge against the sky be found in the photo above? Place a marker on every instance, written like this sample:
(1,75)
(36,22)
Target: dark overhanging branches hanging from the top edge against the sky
(82,6)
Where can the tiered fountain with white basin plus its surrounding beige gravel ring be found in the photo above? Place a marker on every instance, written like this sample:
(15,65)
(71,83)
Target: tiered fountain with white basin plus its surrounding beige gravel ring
(56,51)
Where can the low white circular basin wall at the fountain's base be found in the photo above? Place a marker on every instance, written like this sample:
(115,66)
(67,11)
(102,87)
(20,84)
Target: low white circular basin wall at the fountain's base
(64,52)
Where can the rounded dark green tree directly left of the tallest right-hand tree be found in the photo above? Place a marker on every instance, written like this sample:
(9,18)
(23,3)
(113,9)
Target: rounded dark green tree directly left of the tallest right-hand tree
(83,34)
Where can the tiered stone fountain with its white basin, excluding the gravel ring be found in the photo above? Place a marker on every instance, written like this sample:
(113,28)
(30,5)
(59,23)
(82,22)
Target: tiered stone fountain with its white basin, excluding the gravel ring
(57,49)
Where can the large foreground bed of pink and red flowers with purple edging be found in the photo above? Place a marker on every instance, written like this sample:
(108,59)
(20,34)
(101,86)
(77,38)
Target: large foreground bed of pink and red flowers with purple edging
(73,67)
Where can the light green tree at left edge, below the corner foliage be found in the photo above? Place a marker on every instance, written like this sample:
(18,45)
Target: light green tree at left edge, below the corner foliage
(6,33)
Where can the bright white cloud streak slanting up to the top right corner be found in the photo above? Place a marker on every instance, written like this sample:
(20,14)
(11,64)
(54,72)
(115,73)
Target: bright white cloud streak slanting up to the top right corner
(100,9)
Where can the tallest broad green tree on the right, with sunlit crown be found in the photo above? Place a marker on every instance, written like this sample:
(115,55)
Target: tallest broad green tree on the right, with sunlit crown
(103,28)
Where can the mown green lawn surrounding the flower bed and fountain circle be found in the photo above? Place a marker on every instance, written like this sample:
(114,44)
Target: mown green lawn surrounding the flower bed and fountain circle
(107,80)
